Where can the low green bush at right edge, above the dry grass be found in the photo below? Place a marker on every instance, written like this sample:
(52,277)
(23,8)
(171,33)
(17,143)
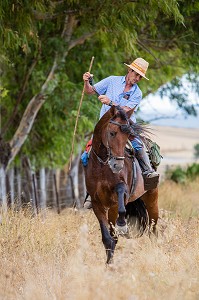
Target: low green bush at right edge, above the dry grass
(180,175)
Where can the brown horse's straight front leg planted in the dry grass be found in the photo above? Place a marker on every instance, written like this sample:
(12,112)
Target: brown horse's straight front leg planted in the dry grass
(108,241)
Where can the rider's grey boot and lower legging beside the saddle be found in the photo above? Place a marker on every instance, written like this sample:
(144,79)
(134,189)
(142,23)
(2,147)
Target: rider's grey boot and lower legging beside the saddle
(144,162)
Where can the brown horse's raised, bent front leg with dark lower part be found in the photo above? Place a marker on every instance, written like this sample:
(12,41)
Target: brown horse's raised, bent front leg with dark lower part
(121,224)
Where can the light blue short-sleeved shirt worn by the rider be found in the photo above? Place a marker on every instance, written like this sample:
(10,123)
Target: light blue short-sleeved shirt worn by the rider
(113,88)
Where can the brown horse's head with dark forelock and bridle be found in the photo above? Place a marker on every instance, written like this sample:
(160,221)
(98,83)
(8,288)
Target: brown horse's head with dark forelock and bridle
(115,135)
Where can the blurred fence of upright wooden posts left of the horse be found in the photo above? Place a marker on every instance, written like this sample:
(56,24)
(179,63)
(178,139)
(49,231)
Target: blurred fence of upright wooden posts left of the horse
(45,188)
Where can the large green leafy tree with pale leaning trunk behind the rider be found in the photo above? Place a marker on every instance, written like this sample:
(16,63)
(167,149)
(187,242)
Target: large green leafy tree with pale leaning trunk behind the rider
(47,45)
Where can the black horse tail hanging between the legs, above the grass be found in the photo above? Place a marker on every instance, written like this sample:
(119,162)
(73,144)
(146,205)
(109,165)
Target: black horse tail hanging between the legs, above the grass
(137,217)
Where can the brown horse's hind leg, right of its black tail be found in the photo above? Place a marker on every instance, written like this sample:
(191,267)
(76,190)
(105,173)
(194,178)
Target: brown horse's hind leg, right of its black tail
(150,199)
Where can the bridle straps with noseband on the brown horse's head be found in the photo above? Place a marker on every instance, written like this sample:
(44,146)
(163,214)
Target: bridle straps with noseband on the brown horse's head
(125,128)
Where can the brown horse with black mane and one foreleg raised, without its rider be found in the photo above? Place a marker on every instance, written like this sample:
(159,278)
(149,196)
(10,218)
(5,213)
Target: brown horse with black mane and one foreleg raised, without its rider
(111,181)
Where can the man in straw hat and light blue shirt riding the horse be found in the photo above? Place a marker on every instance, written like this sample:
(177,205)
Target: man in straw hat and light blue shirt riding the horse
(123,91)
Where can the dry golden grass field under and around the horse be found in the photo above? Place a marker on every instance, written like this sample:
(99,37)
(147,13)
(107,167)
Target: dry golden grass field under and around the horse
(62,257)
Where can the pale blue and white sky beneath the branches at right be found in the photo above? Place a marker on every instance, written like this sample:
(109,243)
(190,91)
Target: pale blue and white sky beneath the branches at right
(153,107)
